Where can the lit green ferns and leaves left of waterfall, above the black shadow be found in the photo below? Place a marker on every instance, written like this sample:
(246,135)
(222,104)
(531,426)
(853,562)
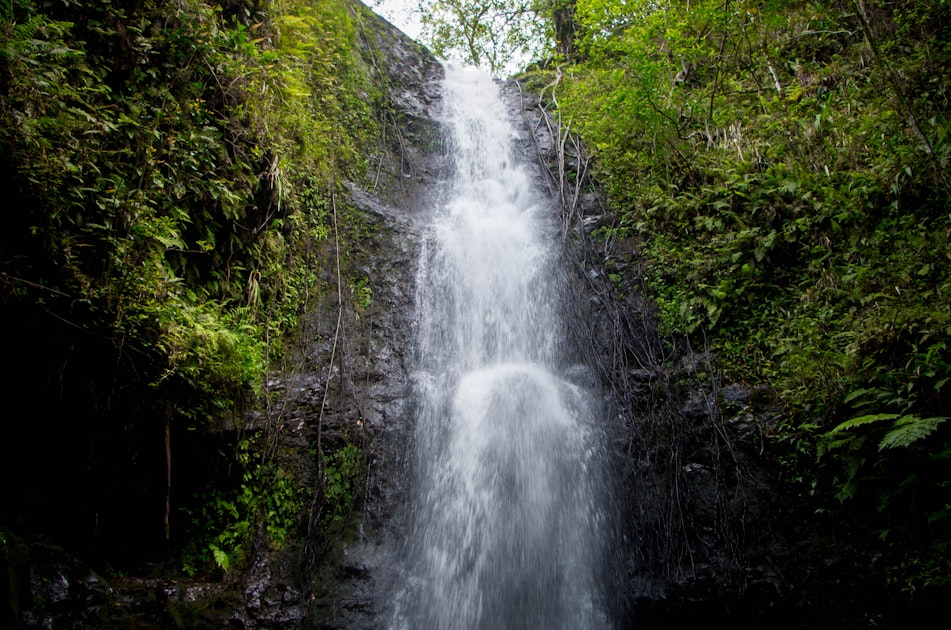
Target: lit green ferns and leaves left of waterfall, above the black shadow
(146,180)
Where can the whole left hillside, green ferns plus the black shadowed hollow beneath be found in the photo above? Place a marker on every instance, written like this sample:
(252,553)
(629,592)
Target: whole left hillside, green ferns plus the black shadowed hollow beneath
(169,171)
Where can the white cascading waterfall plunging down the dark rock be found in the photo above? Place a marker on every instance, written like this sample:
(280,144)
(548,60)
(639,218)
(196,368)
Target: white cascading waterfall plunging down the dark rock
(508,524)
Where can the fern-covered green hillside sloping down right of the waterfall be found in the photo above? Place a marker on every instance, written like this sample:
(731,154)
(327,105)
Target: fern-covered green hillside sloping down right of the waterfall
(783,170)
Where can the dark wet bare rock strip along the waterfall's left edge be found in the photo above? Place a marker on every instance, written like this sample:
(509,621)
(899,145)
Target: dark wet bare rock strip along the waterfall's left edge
(368,390)
